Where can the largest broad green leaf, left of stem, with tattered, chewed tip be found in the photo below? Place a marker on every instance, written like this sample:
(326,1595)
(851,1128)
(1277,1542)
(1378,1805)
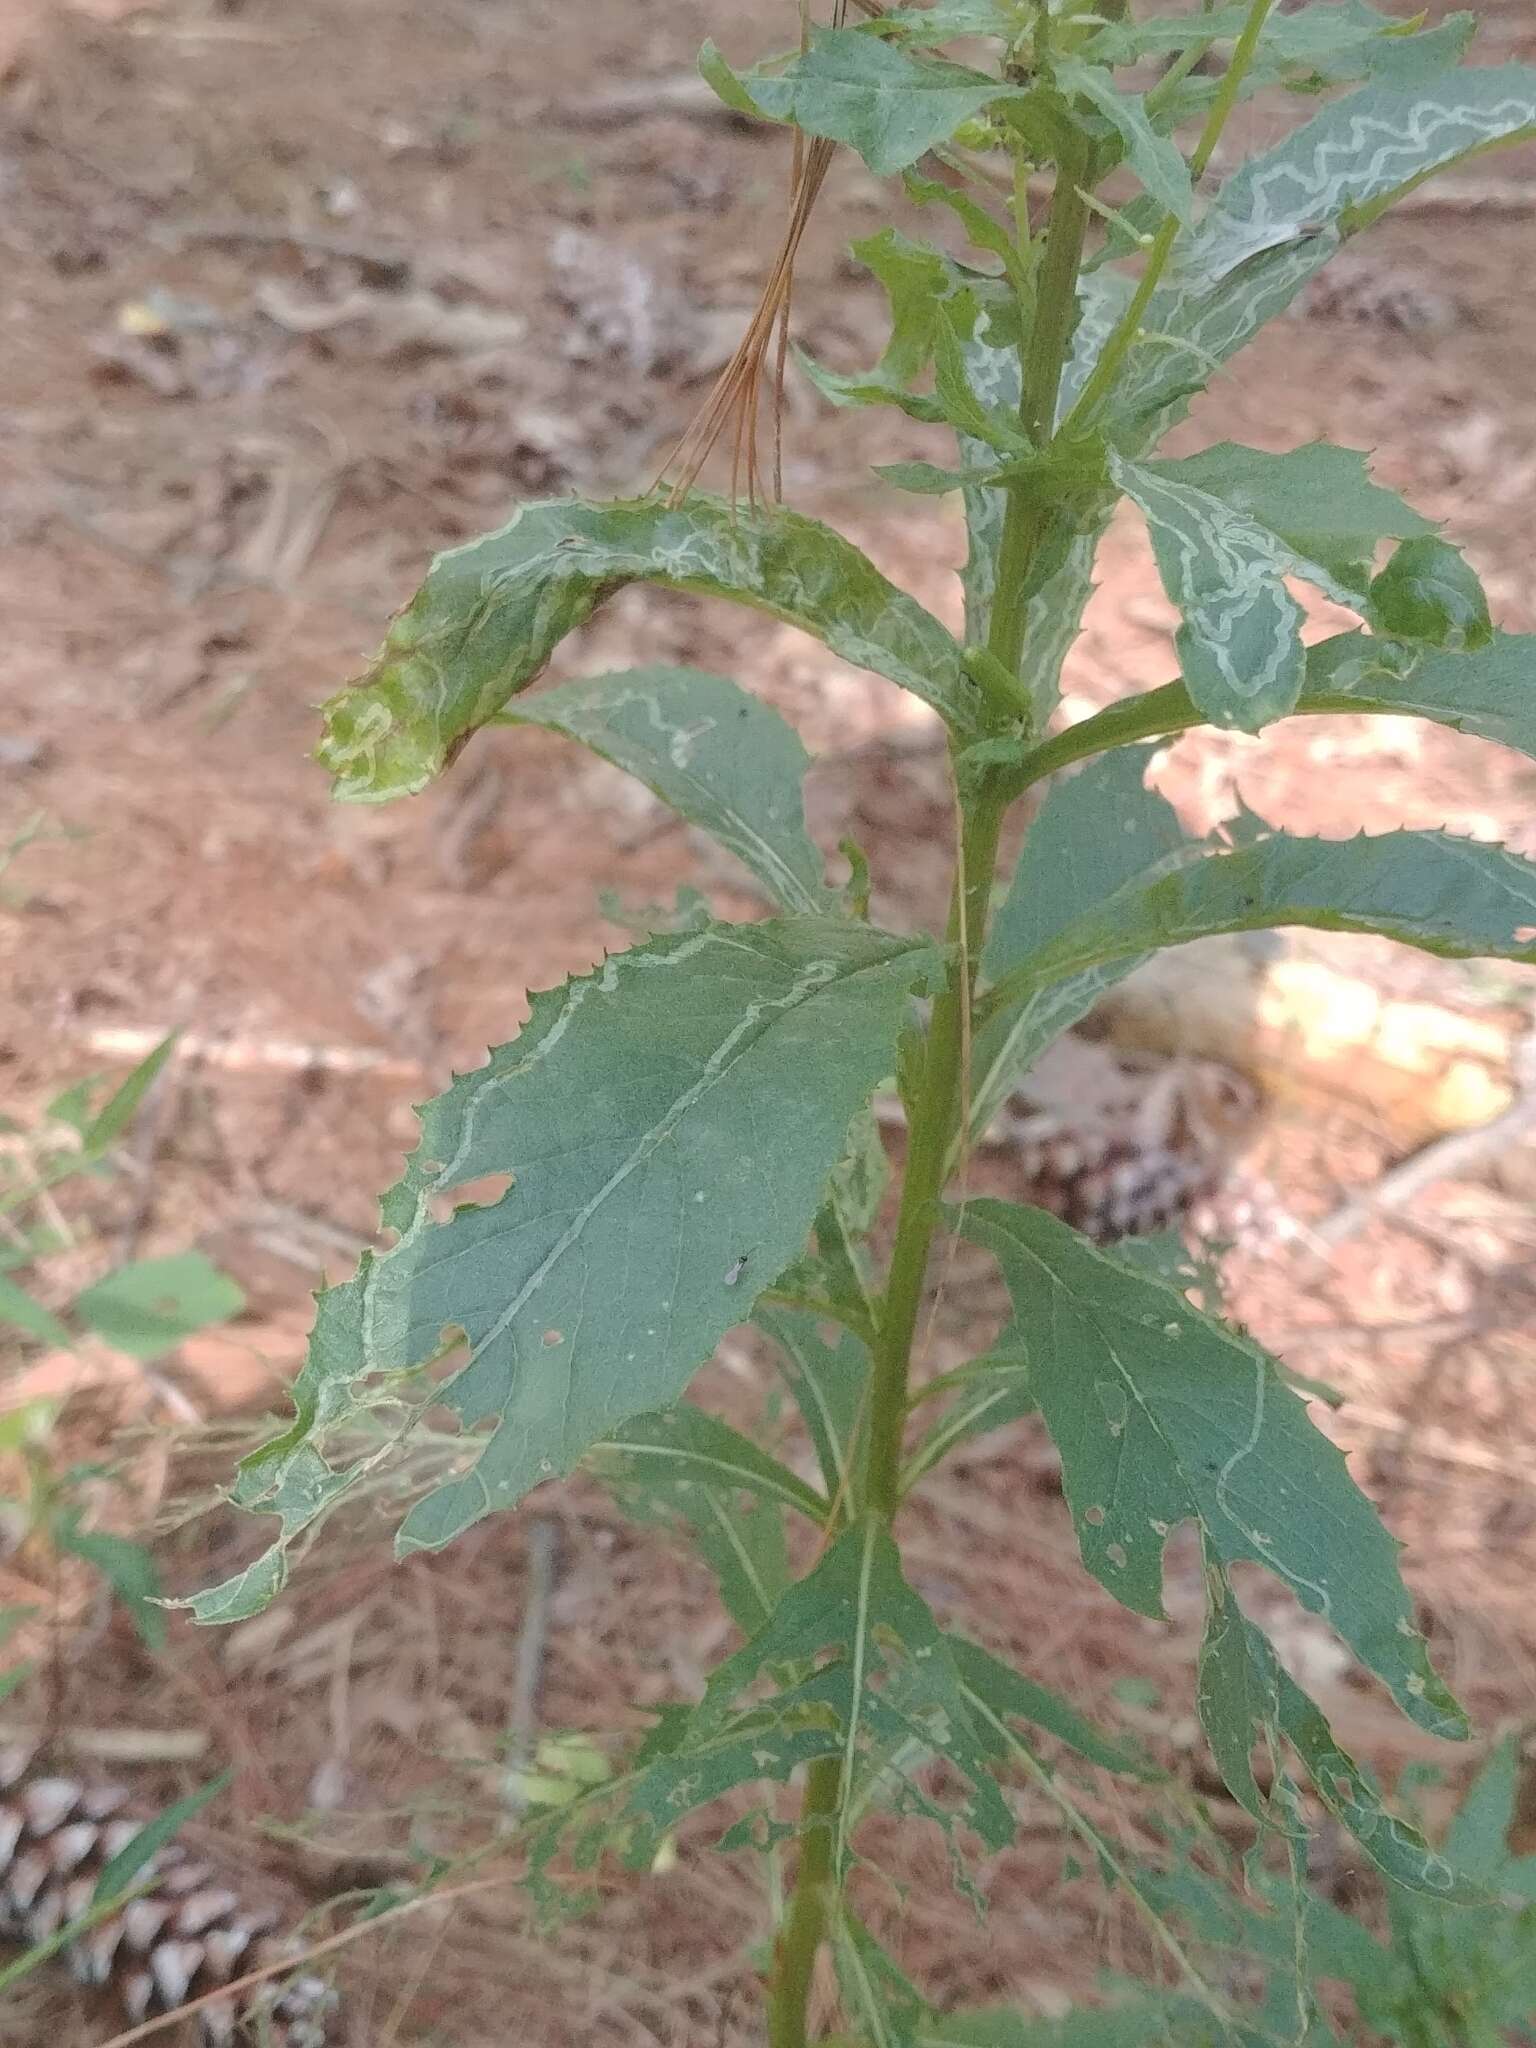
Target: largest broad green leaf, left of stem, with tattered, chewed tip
(663,1121)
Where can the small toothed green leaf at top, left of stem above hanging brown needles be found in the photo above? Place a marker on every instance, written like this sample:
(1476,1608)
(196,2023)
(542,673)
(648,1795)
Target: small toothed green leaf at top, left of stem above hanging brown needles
(861,91)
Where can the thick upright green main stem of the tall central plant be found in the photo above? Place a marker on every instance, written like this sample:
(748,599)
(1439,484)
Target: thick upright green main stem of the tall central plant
(941,1091)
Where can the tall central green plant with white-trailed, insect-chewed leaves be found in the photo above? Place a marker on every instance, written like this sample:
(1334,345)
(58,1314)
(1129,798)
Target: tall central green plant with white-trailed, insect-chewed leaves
(687,1132)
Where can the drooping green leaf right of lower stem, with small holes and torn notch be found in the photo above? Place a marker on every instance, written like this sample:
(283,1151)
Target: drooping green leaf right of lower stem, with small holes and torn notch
(1164,1416)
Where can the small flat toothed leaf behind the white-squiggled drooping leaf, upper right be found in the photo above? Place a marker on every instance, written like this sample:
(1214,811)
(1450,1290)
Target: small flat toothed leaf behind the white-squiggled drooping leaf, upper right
(1318,501)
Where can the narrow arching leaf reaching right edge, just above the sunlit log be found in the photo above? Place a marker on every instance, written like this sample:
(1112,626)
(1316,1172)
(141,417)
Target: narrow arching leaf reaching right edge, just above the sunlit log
(1428,890)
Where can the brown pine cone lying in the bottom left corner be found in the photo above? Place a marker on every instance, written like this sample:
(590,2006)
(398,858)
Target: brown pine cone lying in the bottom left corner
(179,1938)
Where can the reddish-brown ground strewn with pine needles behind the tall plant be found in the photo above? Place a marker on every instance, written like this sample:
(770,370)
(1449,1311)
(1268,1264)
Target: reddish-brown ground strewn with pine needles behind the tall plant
(206,529)
